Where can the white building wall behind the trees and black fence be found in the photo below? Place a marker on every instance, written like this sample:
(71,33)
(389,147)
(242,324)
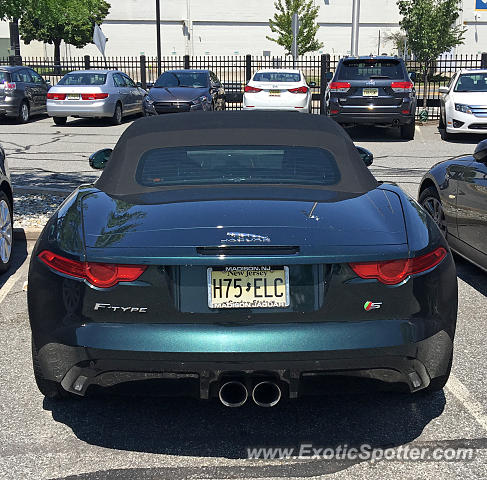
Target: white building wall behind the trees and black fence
(236,27)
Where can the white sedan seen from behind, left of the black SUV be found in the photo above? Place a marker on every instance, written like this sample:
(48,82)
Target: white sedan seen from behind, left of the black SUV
(278,89)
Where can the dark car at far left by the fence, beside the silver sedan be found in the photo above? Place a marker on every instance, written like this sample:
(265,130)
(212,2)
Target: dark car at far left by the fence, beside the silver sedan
(23,93)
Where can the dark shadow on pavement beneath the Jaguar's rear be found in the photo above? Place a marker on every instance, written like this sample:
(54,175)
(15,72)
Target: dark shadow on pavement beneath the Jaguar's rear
(188,427)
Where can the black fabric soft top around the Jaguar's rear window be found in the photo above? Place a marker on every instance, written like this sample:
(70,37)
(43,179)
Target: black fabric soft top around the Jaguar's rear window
(231,128)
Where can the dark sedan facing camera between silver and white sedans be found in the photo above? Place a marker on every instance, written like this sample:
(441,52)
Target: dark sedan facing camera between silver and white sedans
(185,91)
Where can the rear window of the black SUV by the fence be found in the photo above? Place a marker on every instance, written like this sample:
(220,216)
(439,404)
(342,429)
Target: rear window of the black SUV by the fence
(367,69)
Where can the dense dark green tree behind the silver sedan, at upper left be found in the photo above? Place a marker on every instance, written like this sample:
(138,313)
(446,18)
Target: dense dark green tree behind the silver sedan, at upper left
(54,21)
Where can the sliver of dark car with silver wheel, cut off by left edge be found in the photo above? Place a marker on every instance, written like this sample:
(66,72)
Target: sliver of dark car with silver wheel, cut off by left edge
(6,214)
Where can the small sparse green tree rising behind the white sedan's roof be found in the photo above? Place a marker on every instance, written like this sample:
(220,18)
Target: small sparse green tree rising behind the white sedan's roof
(282,21)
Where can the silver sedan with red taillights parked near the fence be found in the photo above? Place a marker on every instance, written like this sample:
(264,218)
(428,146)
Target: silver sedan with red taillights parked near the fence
(94,94)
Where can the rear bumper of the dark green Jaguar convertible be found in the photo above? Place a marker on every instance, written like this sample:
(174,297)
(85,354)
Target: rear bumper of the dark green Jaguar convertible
(392,351)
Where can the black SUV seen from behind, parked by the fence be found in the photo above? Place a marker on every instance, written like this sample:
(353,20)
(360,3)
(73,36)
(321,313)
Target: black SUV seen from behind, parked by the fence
(372,91)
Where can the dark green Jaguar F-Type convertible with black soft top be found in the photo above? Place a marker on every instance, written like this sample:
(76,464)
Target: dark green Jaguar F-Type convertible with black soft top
(245,256)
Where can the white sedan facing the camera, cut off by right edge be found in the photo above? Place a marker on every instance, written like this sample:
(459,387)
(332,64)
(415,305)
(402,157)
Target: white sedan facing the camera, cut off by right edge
(463,104)
